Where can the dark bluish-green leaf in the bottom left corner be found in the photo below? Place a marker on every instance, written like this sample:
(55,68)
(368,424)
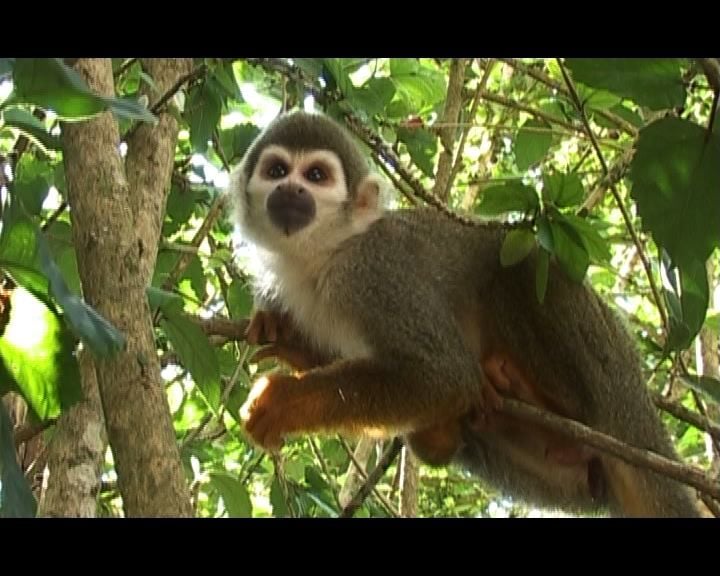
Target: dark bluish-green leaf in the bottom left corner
(16,498)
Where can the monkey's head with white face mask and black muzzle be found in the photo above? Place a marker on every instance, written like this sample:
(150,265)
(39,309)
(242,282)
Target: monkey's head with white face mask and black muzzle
(303,186)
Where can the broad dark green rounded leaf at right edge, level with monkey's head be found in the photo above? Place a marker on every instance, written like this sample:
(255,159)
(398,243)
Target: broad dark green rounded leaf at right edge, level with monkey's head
(676,183)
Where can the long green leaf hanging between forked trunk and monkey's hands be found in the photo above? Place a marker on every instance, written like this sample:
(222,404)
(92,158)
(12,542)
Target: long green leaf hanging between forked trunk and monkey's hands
(196,354)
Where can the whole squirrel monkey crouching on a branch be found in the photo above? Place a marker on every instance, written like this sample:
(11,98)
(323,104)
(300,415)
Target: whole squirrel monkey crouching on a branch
(405,322)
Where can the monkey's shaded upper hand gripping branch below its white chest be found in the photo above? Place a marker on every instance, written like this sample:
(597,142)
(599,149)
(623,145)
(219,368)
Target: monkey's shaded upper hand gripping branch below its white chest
(286,343)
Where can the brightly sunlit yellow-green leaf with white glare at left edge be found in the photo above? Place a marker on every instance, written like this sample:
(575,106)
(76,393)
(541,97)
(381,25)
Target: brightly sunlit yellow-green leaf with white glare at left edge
(37,353)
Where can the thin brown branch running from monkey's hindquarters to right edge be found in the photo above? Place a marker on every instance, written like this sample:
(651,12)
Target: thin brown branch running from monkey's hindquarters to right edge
(630,454)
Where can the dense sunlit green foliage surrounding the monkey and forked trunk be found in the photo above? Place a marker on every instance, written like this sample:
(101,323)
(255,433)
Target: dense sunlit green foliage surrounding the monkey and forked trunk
(613,164)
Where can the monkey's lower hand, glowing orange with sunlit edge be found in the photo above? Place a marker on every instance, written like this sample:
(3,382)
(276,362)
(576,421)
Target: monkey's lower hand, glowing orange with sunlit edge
(264,413)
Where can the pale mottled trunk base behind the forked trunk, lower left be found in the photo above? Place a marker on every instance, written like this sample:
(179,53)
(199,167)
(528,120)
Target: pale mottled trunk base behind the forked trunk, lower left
(76,453)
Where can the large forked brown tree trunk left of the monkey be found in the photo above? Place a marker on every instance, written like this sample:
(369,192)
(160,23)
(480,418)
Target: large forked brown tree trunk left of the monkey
(116,225)
